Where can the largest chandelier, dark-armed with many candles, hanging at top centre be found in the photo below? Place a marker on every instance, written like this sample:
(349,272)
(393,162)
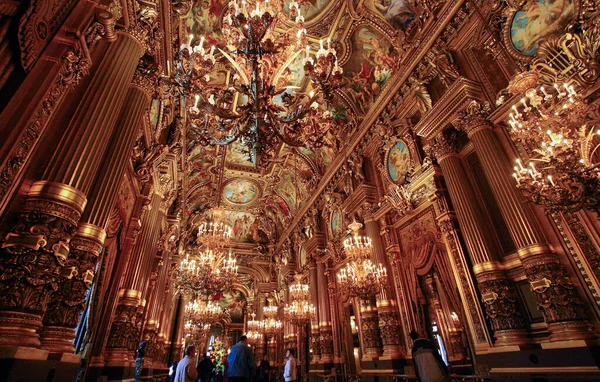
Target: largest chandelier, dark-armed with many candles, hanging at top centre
(256,106)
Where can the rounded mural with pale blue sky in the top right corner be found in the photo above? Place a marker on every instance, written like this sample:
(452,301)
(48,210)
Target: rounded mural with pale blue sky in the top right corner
(538,20)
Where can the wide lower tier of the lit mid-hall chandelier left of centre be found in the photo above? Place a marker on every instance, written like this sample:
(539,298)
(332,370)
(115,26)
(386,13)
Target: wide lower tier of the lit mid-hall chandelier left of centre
(207,273)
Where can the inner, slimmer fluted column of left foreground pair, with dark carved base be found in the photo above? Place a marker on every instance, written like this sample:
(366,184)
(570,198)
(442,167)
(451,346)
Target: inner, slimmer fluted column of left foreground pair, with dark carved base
(68,301)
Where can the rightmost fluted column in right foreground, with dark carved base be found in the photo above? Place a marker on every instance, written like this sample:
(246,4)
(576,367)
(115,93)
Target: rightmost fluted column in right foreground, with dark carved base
(555,294)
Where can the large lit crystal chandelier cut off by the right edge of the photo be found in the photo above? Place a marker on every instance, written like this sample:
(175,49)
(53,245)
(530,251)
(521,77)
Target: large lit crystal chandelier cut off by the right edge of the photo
(552,125)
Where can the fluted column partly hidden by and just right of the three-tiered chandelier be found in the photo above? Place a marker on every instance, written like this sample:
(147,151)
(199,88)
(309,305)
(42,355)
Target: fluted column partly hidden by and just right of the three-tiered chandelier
(387,307)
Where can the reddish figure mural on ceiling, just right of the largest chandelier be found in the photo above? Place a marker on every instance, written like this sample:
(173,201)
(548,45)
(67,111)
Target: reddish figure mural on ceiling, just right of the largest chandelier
(370,65)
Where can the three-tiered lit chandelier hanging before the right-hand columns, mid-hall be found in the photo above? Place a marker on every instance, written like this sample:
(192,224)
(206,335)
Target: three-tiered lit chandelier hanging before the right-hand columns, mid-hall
(360,277)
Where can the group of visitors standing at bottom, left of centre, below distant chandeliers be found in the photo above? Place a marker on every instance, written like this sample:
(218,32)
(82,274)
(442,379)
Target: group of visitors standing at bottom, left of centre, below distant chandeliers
(239,366)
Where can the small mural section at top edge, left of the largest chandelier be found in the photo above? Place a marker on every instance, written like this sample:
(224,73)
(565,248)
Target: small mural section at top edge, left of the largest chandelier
(204,19)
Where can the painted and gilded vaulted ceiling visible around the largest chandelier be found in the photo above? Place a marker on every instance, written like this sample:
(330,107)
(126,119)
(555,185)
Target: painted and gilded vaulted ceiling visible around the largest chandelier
(261,203)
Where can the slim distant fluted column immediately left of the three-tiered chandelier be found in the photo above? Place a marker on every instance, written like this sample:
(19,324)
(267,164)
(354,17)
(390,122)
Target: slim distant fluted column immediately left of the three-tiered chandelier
(325,324)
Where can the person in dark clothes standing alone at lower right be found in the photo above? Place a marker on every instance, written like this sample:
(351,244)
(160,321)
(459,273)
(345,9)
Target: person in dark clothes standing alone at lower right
(429,365)
